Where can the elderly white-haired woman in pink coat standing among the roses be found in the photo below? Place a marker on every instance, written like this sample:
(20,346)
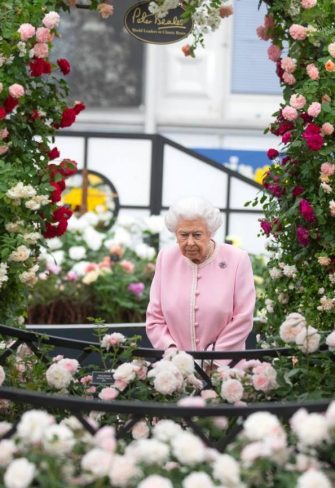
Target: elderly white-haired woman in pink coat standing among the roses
(202,296)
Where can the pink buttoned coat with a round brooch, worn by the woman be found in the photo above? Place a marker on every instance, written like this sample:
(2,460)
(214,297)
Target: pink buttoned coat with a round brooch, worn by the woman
(194,306)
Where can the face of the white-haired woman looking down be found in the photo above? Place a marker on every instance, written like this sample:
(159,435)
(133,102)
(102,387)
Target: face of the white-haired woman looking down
(193,238)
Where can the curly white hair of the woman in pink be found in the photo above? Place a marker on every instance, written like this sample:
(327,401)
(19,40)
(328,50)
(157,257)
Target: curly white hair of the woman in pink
(191,208)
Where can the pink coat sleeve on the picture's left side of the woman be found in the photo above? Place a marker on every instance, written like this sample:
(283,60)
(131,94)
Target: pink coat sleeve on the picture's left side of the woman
(156,327)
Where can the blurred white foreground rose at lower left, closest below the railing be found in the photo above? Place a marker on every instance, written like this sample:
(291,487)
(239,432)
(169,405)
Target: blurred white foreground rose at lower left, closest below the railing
(32,425)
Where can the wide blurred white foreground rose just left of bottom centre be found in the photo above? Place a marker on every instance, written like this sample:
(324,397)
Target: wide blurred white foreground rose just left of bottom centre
(148,451)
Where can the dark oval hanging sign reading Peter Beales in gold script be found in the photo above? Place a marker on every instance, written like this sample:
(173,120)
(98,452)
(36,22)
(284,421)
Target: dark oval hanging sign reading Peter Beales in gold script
(147,27)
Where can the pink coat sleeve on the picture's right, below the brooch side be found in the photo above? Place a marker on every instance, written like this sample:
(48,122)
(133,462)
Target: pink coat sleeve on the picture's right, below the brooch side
(234,334)
